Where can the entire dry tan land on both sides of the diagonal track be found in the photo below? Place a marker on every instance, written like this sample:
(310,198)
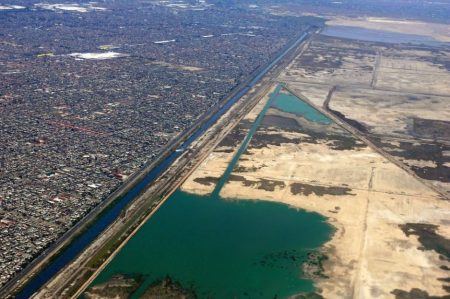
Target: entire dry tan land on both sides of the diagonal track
(392,237)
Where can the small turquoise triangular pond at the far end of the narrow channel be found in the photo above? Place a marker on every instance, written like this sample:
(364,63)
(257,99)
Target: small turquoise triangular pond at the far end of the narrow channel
(287,102)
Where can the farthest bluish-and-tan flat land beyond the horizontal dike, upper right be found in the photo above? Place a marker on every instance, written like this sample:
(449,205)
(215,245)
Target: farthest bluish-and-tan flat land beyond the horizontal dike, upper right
(331,61)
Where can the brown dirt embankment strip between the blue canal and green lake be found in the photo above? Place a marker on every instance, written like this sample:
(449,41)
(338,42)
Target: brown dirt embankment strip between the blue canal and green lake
(170,180)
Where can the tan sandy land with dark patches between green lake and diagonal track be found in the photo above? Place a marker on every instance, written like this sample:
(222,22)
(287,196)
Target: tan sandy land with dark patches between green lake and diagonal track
(366,197)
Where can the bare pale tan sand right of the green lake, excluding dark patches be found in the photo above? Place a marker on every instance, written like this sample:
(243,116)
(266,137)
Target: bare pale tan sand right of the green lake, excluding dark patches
(368,218)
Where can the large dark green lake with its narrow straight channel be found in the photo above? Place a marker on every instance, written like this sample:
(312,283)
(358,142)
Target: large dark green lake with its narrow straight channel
(224,248)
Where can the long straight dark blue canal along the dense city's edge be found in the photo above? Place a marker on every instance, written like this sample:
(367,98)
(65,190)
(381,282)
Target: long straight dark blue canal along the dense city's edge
(40,264)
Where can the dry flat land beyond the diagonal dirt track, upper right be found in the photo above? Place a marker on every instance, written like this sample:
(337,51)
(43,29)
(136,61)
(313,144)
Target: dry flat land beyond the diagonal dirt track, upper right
(395,95)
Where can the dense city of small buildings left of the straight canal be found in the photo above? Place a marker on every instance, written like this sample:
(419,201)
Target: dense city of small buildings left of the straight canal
(91,92)
